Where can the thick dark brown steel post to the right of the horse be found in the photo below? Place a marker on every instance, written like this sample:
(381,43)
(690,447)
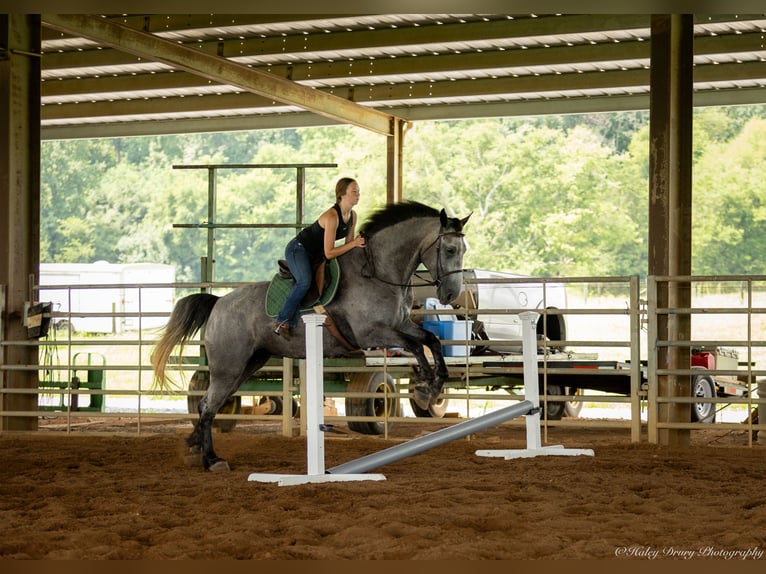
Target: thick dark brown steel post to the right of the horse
(670,200)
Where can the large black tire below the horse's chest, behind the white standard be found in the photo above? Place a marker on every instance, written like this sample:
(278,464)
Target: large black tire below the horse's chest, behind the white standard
(371,407)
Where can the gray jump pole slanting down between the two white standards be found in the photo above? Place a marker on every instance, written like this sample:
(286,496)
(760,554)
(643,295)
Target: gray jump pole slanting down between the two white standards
(442,436)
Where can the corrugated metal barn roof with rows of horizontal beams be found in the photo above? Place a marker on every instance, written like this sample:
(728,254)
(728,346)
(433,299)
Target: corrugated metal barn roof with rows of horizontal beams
(413,66)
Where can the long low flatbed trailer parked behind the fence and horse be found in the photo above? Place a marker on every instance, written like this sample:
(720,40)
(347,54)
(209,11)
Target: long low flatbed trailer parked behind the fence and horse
(377,371)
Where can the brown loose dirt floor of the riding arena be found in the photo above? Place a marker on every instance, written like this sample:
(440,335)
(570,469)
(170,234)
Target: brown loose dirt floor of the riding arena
(97,495)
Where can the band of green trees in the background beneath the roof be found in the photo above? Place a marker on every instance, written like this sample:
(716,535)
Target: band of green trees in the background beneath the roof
(551,195)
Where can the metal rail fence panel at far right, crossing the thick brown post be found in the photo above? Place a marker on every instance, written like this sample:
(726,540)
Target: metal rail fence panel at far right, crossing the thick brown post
(727,313)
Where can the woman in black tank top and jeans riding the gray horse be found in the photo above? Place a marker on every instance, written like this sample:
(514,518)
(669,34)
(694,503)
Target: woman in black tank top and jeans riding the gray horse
(315,243)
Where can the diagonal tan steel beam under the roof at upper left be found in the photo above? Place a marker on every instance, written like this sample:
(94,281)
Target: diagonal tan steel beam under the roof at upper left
(220,70)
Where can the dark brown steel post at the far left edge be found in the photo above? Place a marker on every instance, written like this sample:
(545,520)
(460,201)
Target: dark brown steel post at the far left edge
(19,207)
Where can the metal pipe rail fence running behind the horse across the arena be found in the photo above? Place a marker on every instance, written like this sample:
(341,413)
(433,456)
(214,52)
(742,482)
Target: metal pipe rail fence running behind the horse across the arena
(107,376)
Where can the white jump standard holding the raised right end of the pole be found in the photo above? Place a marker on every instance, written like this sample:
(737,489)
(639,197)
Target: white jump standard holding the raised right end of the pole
(532,394)
